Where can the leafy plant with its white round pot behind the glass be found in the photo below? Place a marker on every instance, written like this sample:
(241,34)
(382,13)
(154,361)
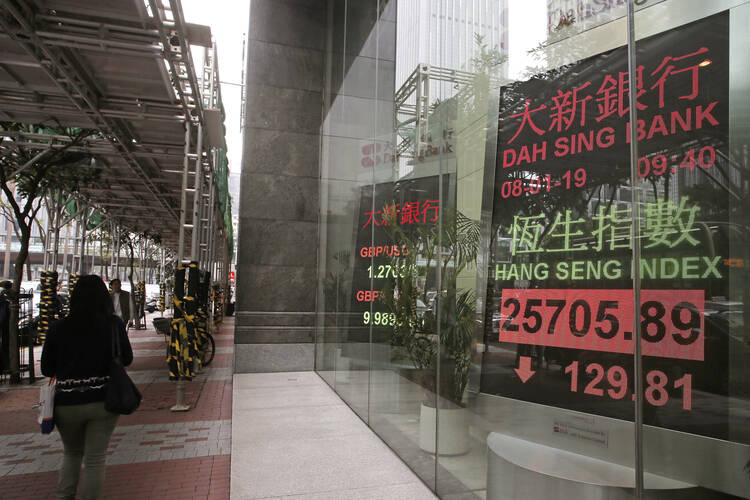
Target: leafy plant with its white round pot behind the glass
(443,334)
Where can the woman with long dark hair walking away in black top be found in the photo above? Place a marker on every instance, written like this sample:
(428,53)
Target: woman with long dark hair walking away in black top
(78,351)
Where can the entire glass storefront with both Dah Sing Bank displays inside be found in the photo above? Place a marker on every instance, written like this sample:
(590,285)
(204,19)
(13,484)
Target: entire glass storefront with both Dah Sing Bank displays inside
(494,215)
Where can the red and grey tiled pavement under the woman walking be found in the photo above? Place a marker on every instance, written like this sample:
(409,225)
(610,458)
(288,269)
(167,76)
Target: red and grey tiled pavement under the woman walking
(154,453)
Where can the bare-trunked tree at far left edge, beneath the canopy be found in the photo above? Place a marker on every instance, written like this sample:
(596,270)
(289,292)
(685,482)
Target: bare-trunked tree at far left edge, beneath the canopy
(34,161)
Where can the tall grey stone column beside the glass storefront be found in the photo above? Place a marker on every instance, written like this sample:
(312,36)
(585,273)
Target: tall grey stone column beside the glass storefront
(278,224)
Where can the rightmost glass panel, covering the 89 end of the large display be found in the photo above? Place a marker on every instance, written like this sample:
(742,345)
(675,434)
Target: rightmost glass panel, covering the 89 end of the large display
(693,142)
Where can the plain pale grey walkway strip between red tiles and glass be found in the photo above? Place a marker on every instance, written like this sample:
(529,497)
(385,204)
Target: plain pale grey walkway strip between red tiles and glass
(293,438)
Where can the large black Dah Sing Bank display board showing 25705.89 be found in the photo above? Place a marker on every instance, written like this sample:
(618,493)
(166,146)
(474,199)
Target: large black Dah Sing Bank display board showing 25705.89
(561,272)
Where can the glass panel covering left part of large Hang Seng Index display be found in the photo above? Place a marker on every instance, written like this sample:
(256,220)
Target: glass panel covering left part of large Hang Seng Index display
(554,355)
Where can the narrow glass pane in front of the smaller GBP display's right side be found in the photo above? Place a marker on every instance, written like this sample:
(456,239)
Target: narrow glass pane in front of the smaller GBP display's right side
(406,202)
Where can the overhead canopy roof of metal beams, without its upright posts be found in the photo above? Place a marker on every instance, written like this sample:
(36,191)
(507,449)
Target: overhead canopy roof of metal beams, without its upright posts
(102,65)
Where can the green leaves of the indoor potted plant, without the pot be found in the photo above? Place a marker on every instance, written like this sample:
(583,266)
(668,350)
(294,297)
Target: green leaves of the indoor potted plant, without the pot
(452,245)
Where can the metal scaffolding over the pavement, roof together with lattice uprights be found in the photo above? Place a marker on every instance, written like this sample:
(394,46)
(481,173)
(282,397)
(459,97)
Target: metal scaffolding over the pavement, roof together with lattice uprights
(124,69)
